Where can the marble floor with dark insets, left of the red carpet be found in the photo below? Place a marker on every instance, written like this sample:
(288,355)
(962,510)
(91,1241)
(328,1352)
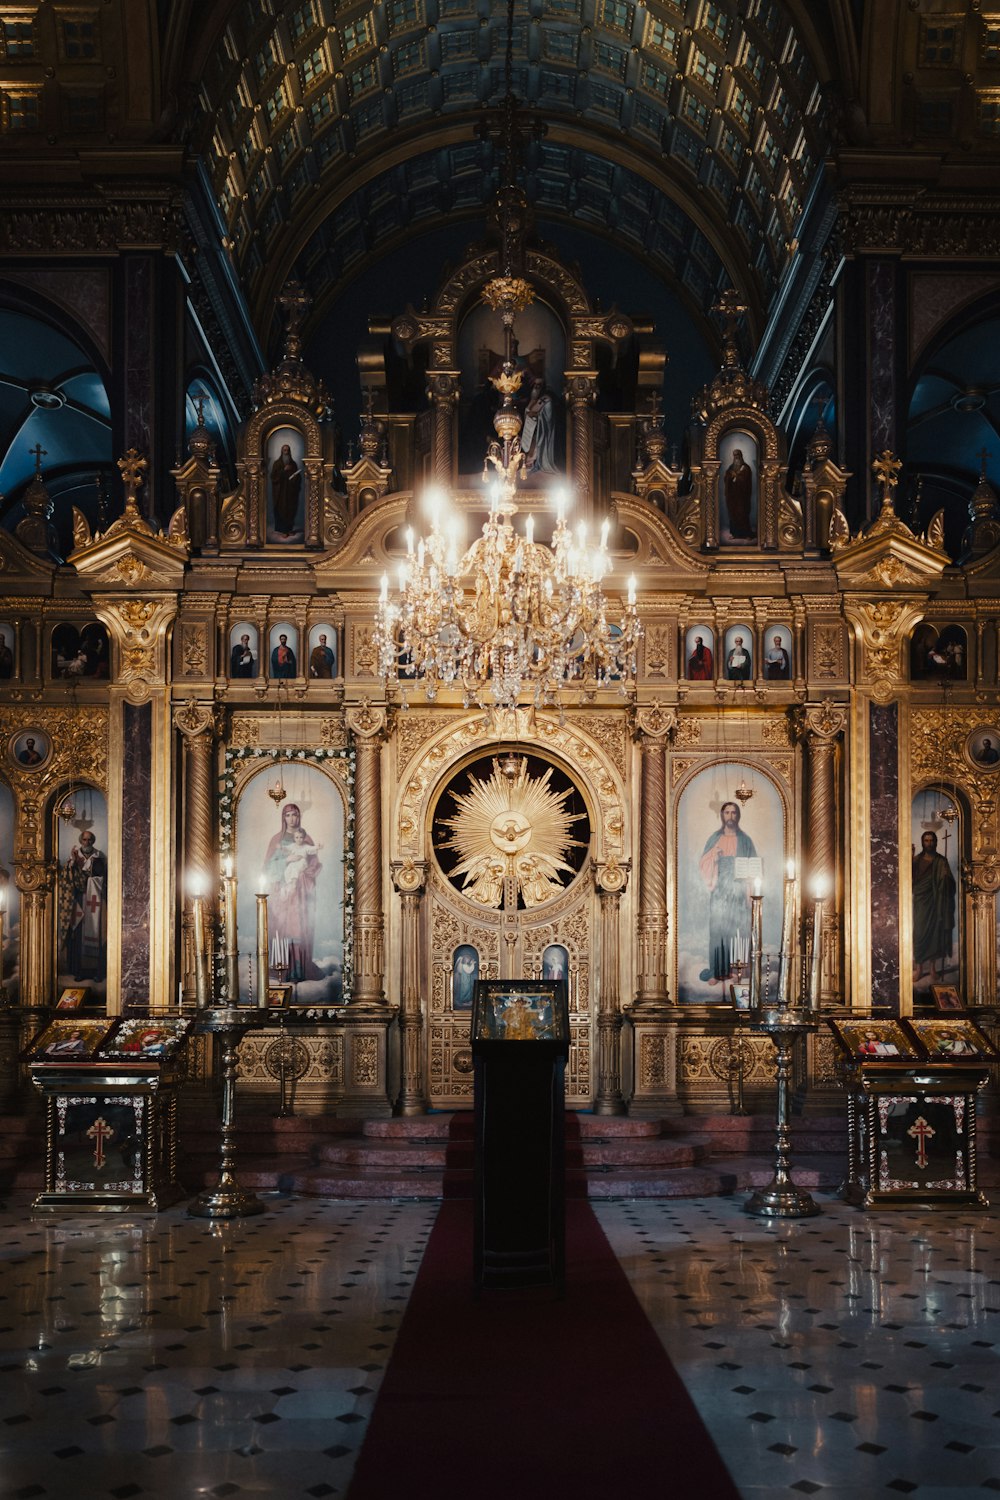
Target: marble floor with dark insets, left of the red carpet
(172,1357)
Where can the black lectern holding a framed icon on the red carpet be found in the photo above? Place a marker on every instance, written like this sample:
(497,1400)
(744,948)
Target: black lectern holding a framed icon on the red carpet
(521,1042)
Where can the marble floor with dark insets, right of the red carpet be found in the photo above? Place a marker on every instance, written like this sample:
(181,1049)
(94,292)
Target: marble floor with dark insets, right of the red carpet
(843,1355)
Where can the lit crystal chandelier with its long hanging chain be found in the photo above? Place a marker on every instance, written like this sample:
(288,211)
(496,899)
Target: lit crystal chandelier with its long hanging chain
(510,620)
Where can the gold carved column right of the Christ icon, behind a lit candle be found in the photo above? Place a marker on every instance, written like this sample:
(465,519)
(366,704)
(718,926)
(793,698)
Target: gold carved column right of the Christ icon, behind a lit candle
(821,727)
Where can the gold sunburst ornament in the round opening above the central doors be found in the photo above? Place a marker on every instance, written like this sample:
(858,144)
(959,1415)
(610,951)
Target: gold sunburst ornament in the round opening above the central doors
(512,827)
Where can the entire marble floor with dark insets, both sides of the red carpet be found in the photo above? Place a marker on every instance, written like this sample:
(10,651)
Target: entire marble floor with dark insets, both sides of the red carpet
(167,1357)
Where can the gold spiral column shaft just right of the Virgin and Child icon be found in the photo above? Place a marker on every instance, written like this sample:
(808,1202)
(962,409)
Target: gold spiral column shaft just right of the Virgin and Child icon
(368,727)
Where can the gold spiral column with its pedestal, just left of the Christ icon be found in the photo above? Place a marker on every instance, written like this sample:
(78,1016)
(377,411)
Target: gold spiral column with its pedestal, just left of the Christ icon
(653,1018)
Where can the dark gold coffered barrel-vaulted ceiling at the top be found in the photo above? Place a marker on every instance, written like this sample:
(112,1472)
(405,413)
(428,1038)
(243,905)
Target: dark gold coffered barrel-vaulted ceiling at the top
(699,127)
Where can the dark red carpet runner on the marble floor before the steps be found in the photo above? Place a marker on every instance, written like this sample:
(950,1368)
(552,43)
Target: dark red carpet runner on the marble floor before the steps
(522,1397)
